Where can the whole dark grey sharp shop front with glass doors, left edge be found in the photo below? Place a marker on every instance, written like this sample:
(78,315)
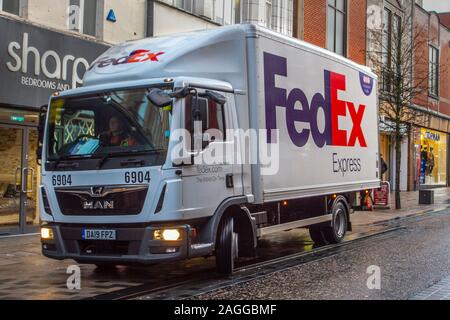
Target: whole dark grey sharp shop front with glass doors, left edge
(34,63)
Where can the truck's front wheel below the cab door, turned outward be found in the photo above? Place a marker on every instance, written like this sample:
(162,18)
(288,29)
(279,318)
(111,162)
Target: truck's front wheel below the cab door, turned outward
(226,247)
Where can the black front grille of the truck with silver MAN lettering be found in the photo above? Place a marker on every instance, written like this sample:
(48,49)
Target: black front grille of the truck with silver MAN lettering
(98,201)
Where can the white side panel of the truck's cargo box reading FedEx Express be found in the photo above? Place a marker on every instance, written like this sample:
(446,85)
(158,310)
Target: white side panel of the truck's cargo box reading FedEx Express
(325,109)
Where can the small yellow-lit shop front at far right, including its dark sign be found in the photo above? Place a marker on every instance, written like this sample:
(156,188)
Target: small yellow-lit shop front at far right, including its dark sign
(430,153)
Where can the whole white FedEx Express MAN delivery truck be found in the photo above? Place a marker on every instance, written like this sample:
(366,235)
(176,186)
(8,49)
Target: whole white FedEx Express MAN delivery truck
(198,144)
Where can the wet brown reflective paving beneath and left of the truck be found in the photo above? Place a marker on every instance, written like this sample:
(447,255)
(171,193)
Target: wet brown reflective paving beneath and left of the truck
(26,274)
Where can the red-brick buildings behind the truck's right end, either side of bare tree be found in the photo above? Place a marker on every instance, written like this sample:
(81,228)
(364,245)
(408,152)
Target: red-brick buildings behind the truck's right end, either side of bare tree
(316,21)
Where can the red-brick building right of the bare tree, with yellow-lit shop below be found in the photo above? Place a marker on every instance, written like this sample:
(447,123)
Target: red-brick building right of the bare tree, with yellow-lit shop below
(429,140)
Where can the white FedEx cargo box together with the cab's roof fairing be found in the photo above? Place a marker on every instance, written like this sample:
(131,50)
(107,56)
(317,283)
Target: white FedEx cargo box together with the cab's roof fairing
(324,106)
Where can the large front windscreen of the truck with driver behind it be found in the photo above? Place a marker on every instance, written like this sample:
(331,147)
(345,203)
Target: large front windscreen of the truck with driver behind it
(106,124)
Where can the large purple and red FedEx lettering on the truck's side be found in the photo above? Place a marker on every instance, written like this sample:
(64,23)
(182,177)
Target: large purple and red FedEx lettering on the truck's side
(333,108)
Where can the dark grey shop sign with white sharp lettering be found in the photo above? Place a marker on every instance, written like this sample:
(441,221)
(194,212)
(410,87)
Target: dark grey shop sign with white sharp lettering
(35,62)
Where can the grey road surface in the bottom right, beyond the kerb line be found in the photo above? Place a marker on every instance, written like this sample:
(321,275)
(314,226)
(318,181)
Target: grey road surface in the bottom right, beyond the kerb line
(411,260)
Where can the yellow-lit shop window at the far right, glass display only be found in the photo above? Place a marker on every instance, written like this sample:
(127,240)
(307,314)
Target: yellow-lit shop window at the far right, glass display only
(433,158)
